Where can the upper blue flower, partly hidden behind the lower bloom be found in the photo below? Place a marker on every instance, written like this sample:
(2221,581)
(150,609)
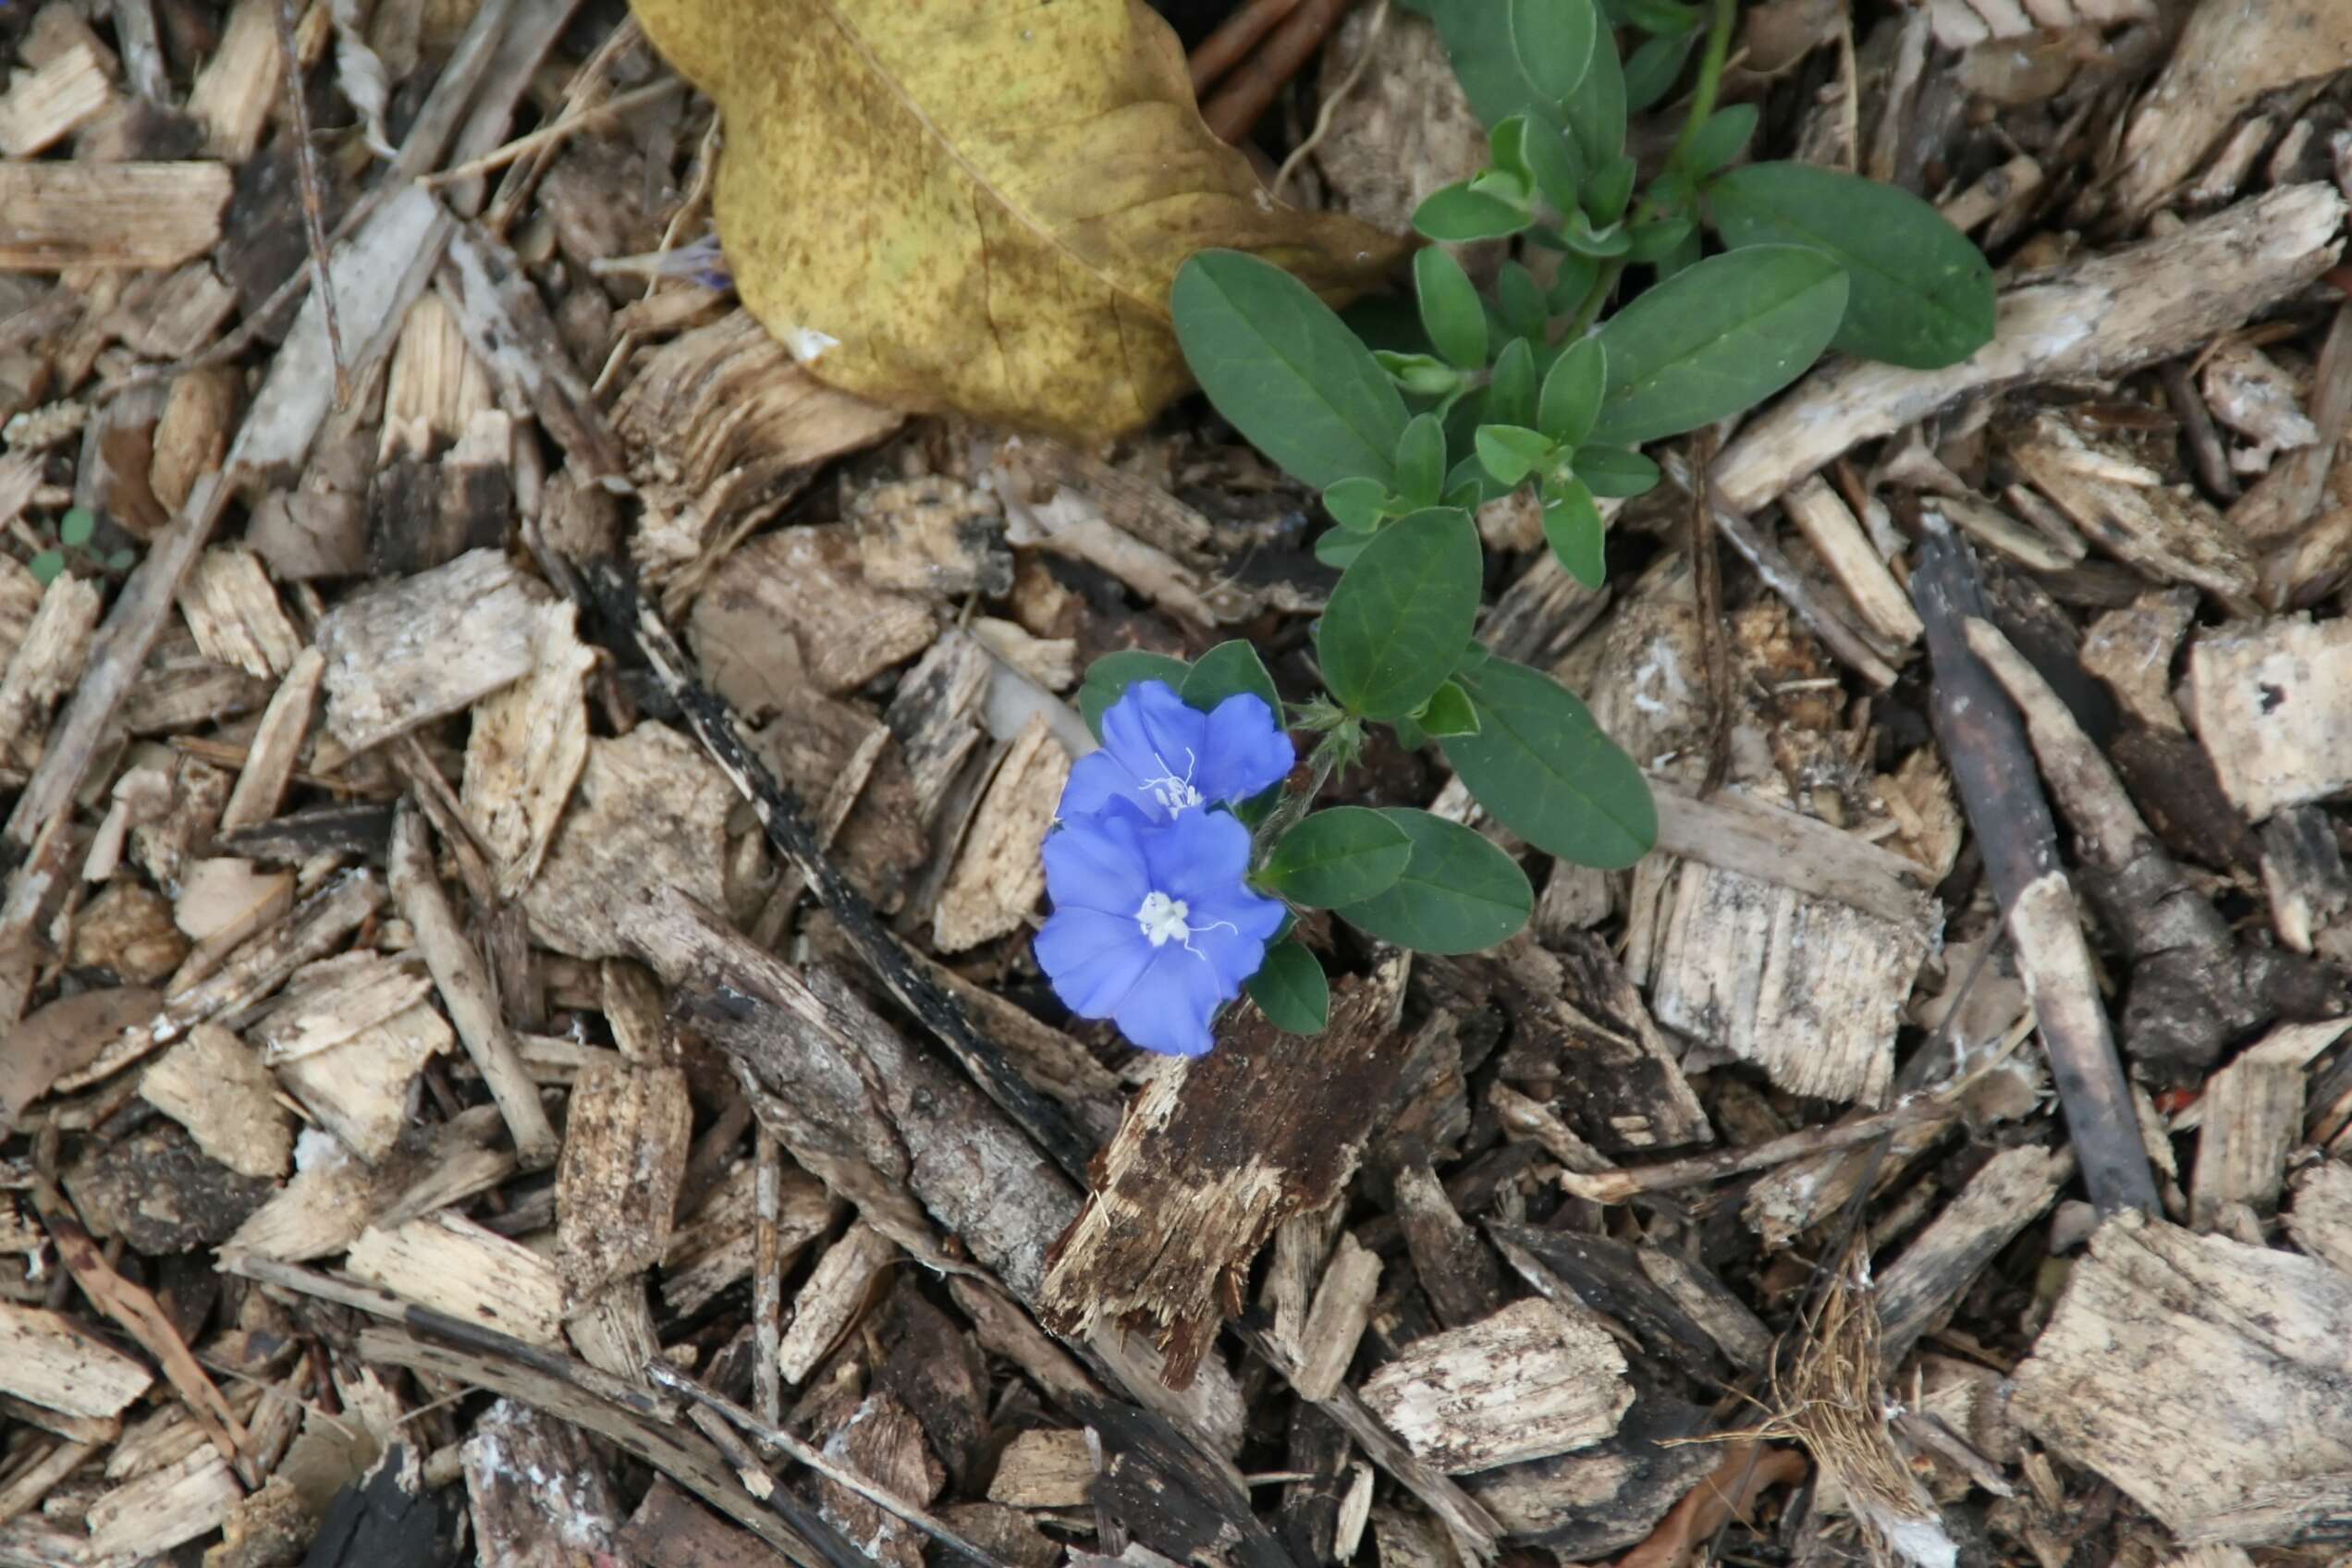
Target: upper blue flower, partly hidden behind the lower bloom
(1170,758)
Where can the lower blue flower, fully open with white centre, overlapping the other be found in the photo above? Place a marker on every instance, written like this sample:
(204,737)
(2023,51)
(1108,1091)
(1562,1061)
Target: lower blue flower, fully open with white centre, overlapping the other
(1154,925)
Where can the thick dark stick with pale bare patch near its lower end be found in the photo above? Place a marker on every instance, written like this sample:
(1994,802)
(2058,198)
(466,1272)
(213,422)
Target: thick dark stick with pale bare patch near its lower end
(1984,744)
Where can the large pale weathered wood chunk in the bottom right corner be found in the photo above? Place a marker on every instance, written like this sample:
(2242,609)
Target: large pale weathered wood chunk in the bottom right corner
(2196,1374)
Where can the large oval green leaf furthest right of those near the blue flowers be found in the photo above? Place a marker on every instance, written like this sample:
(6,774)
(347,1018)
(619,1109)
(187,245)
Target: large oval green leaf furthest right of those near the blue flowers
(1542,768)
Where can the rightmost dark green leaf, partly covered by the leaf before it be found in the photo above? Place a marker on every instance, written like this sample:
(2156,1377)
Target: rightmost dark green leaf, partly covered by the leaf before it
(1923,293)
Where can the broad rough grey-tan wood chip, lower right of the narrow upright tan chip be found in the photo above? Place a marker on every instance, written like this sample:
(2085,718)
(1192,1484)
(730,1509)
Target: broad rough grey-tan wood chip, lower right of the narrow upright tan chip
(610,855)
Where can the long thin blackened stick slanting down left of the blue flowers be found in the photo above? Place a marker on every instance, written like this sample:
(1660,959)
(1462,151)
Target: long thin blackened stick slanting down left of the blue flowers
(787,822)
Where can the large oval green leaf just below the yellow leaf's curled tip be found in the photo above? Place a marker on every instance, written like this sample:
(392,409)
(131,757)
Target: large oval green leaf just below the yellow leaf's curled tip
(1285,370)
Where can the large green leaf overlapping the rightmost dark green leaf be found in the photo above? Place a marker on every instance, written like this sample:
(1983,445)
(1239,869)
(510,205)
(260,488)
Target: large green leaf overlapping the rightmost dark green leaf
(1718,340)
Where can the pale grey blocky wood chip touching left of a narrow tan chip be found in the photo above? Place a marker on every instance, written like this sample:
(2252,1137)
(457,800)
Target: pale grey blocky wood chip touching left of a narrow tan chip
(427,645)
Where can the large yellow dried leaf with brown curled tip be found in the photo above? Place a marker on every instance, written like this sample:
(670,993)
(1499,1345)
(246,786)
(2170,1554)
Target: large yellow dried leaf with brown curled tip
(980,206)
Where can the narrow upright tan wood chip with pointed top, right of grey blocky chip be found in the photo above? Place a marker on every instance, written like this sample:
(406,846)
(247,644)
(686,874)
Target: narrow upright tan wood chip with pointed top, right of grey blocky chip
(528,749)
